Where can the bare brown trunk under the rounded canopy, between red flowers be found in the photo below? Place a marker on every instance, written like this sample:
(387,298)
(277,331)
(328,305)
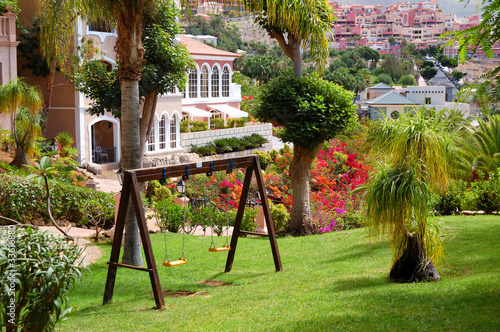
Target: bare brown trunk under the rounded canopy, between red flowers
(300,220)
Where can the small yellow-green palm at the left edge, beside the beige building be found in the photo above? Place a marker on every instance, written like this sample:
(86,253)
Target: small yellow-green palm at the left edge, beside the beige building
(23,102)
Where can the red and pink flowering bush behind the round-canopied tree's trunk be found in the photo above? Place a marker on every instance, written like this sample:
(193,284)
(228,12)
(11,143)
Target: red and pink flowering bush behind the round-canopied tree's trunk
(335,175)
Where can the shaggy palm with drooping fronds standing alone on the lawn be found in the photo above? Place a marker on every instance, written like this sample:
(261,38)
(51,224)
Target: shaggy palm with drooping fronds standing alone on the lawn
(419,148)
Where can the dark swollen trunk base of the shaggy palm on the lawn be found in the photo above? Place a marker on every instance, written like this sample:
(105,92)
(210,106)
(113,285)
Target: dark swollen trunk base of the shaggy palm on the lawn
(414,265)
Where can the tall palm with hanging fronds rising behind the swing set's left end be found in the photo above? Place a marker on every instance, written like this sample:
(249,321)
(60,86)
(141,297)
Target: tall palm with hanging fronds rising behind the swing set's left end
(128,15)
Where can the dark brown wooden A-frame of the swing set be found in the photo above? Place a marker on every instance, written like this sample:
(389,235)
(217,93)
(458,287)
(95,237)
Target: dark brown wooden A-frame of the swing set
(130,191)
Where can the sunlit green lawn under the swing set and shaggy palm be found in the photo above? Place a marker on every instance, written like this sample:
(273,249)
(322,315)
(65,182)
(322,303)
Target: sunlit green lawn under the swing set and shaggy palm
(330,282)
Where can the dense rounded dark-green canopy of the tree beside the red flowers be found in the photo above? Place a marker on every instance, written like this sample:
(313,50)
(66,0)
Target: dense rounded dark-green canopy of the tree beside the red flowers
(310,109)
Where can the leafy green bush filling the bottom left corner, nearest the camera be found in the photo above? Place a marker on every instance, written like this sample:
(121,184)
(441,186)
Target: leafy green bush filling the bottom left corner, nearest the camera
(37,271)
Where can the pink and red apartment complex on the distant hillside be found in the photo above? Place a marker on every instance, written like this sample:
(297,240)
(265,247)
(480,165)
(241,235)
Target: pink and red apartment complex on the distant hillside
(421,23)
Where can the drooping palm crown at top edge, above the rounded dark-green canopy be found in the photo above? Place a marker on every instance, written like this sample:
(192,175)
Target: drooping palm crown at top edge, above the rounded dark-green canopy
(296,25)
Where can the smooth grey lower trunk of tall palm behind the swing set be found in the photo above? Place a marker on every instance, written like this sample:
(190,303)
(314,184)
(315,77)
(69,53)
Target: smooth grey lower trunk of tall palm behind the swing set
(131,159)
